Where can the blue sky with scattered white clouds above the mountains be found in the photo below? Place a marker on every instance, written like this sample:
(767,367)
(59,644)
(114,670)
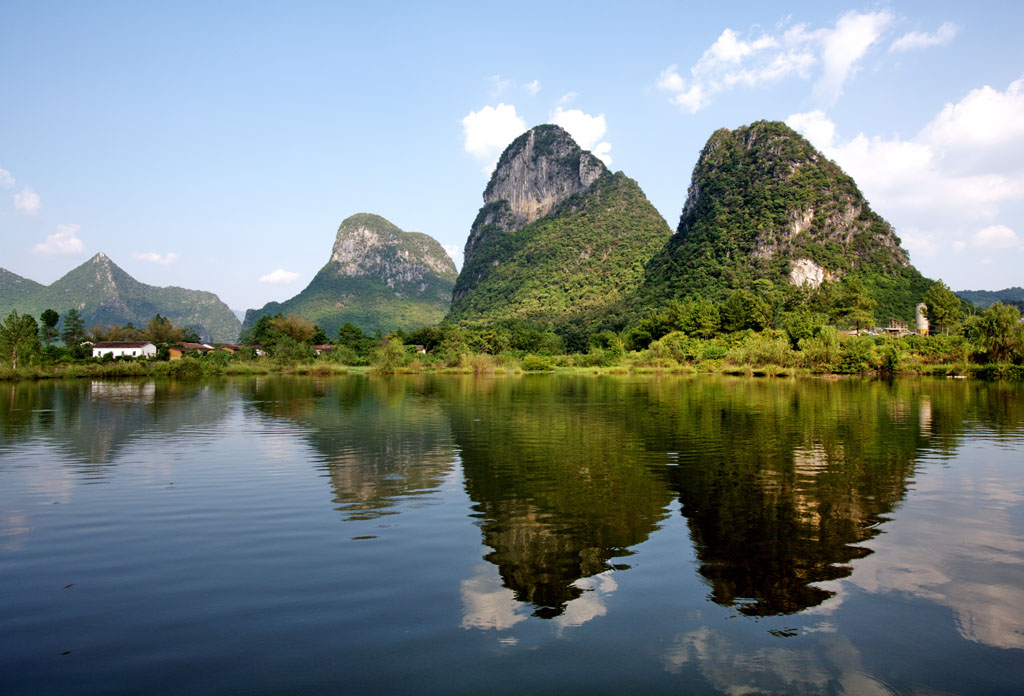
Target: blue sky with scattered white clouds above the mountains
(219,146)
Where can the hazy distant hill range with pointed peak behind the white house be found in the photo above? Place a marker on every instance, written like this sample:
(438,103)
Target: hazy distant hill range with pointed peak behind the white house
(105,294)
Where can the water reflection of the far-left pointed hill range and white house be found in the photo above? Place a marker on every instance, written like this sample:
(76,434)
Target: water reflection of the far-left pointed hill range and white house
(94,422)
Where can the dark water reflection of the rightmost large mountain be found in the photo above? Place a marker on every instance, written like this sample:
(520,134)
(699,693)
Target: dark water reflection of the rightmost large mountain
(783,482)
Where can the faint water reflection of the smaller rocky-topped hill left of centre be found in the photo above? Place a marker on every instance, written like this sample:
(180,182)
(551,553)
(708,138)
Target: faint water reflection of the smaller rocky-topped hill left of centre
(380,440)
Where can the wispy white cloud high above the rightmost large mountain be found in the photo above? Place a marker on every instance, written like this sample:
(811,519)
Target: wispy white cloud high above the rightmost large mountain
(832,56)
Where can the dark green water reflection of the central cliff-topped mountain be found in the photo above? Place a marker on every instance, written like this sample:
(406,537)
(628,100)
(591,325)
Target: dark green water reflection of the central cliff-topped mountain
(561,489)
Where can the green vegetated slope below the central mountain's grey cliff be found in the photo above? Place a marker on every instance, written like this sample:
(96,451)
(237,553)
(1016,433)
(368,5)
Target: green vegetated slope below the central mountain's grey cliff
(579,264)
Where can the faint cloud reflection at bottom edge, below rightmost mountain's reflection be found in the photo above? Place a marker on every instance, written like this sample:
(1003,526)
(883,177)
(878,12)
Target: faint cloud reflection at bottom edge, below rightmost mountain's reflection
(773,671)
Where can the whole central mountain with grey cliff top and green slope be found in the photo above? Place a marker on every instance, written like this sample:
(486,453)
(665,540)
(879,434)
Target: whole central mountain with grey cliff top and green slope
(559,238)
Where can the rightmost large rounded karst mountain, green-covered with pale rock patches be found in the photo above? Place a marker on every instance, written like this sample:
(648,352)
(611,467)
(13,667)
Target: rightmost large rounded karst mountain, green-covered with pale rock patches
(763,203)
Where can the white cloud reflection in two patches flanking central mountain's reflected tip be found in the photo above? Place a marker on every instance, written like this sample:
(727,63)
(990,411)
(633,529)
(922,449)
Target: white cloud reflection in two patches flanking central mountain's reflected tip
(488,604)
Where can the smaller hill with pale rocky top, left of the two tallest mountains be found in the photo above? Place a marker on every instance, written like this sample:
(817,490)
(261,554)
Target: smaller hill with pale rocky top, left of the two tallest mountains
(378,278)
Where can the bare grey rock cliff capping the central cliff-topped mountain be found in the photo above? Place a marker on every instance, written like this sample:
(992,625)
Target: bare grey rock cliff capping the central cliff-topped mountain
(540,169)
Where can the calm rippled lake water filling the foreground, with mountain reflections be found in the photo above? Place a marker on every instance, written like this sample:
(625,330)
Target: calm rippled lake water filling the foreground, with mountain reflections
(520,535)
